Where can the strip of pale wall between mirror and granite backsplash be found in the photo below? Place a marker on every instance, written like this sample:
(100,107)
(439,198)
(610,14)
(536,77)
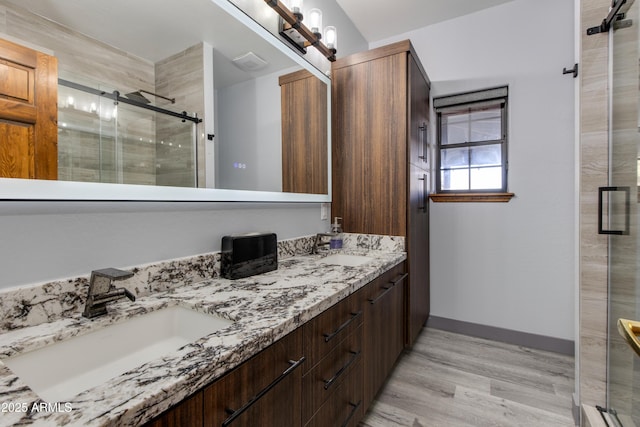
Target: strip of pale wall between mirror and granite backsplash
(43,241)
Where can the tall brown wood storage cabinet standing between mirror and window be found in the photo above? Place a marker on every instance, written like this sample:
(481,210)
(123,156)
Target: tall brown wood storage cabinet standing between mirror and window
(381,167)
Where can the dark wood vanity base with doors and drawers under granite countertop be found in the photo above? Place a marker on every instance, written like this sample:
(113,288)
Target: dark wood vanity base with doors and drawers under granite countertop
(325,373)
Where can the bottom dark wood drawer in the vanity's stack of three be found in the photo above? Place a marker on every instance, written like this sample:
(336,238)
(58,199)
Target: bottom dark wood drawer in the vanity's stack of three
(345,406)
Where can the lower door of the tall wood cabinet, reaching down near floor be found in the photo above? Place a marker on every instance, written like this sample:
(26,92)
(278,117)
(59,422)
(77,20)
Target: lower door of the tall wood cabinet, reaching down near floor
(418,253)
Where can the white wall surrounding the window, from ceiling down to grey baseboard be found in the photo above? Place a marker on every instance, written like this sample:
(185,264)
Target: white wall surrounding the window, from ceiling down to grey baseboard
(510,265)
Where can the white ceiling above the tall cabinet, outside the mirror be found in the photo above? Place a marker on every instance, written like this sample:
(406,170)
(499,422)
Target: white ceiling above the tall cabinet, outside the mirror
(381,19)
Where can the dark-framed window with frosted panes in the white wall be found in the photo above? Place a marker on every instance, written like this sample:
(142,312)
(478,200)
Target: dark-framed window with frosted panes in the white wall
(472,142)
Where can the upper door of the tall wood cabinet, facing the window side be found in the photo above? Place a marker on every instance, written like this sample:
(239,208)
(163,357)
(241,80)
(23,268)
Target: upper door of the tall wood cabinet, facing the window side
(418,116)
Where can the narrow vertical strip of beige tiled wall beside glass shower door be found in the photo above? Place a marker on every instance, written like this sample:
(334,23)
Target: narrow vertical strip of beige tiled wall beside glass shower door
(594,156)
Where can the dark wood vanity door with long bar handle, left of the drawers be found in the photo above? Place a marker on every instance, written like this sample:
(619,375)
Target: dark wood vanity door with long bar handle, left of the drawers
(264,391)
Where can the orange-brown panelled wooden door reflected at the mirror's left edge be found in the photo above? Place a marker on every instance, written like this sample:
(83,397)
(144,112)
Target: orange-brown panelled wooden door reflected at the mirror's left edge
(28,113)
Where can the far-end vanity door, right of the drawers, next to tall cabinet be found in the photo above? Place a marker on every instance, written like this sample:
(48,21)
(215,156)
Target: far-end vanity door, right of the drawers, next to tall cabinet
(384,326)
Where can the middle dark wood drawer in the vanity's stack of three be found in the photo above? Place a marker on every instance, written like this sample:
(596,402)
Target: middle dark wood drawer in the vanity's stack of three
(336,367)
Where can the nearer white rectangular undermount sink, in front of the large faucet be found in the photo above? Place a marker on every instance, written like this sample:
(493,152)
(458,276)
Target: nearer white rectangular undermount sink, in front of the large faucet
(62,370)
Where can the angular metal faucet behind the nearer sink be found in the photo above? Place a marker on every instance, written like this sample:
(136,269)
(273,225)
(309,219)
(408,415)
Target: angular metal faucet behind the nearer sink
(102,291)
